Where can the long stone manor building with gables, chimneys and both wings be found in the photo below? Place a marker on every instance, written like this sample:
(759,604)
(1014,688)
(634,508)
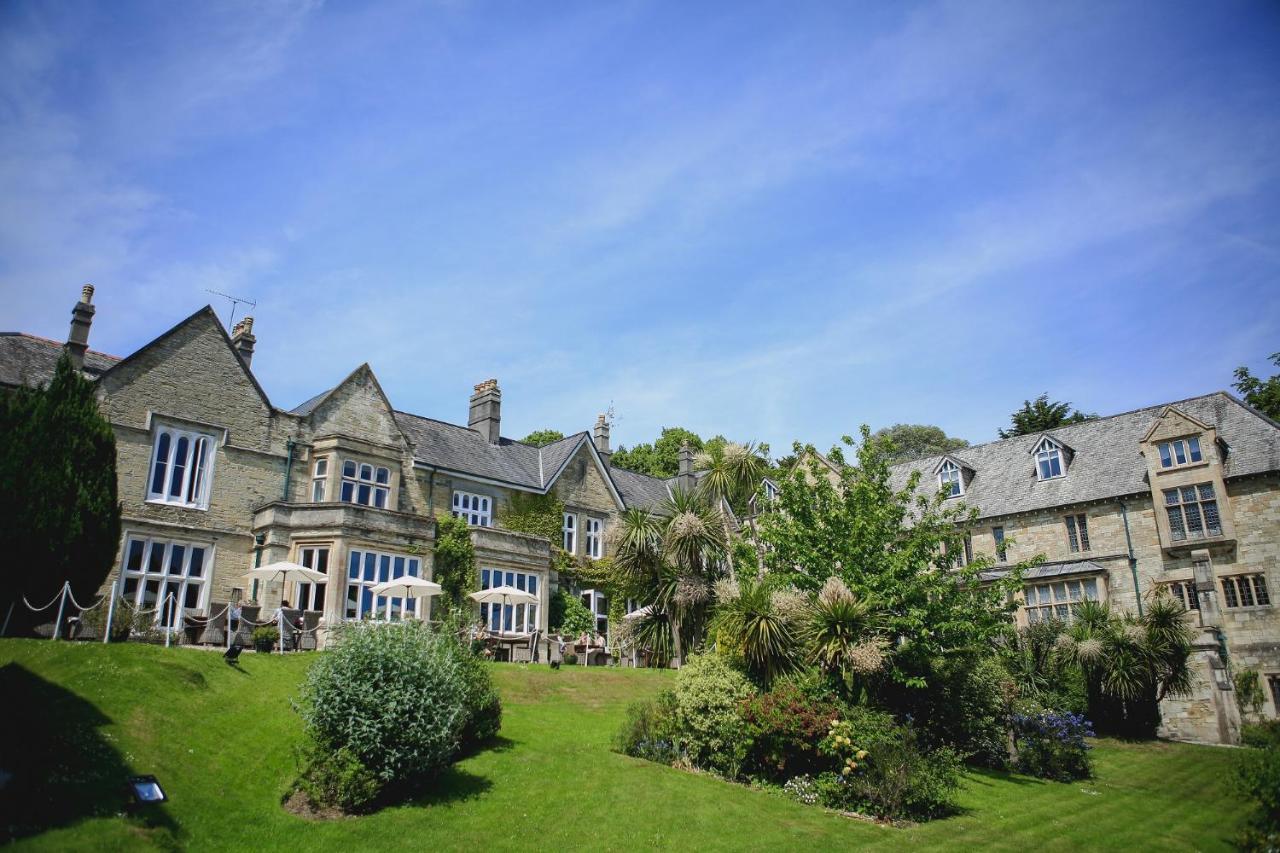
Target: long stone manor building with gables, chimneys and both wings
(216,478)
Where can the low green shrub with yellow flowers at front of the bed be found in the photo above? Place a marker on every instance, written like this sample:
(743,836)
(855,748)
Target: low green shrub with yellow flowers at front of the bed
(885,770)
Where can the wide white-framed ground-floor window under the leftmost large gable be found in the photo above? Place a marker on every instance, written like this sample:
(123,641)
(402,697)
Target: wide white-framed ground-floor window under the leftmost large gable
(156,564)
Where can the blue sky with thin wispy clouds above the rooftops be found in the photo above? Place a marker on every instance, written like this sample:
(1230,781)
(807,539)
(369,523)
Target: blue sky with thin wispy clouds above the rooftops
(769,221)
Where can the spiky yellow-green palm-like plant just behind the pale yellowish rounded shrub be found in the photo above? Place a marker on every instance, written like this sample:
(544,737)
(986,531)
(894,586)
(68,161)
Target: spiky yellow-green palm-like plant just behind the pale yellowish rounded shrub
(755,623)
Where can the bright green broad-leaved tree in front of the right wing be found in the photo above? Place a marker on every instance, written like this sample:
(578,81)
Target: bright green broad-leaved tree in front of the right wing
(894,551)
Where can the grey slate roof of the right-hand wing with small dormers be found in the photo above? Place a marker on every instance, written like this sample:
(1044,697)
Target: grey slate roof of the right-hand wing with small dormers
(1105,463)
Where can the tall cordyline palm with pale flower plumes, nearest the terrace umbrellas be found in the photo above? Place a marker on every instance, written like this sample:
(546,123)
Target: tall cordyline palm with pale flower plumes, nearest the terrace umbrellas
(676,555)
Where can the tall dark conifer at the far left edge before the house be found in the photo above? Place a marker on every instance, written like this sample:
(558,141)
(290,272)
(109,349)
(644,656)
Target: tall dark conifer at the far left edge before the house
(62,519)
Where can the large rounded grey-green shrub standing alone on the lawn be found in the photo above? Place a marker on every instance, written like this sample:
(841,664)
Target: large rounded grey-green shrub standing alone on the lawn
(394,696)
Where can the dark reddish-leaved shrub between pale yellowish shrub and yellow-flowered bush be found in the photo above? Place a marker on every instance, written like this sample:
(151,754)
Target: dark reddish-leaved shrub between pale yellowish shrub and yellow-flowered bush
(785,727)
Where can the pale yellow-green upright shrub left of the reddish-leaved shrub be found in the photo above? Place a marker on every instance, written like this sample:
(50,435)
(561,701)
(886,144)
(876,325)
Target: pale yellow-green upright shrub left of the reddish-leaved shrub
(711,732)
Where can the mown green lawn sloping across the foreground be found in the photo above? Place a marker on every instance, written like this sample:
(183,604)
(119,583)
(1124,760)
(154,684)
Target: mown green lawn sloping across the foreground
(221,741)
